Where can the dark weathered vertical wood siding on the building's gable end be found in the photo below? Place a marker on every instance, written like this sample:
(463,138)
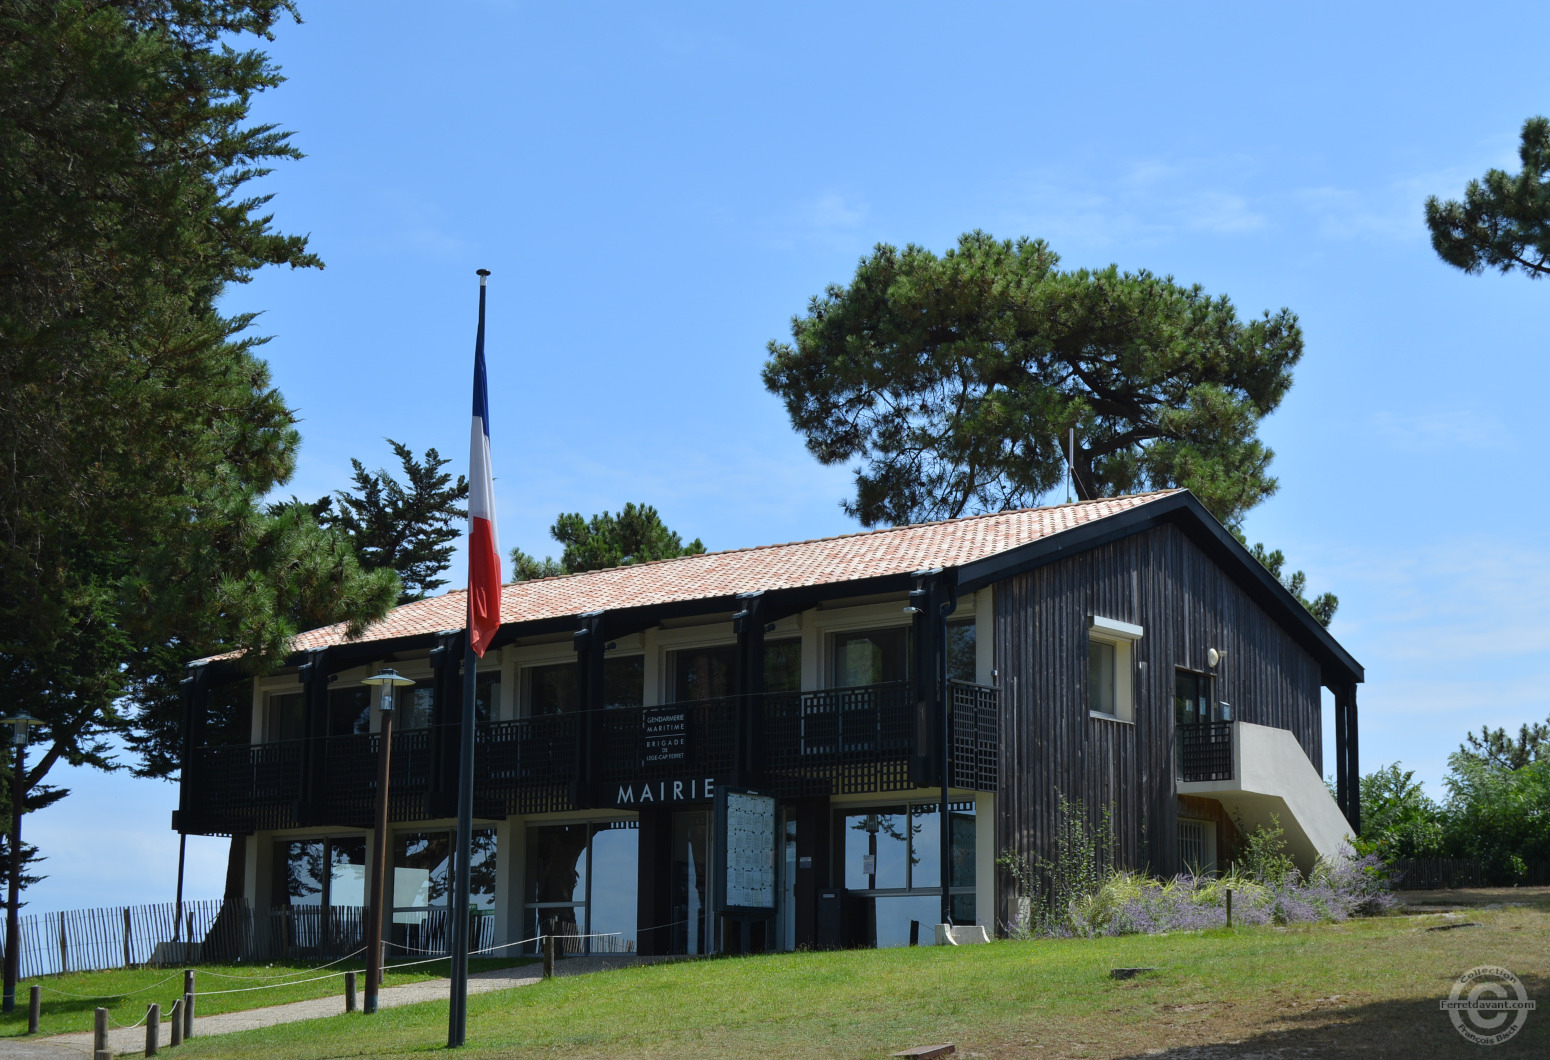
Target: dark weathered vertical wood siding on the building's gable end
(1052,746)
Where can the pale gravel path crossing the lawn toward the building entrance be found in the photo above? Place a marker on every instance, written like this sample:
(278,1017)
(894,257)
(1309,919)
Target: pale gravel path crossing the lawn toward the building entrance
(71,1047)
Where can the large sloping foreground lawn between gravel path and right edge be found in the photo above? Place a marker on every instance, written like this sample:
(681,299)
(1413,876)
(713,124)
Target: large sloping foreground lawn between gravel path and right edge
(1368,988)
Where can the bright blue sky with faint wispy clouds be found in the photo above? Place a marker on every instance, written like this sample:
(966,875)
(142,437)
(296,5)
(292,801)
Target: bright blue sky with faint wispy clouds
(658,190)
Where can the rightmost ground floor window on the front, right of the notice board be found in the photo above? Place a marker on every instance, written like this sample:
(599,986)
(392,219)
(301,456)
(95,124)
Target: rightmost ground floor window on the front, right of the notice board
(892,858)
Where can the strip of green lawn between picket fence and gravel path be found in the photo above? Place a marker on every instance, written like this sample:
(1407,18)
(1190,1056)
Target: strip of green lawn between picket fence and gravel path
(69,1000)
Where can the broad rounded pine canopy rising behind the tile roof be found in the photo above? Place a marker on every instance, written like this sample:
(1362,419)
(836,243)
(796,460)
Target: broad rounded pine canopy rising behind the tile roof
(954,380)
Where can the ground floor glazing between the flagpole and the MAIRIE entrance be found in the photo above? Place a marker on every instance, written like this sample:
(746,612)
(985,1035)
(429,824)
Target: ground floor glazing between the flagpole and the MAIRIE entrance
(582,881)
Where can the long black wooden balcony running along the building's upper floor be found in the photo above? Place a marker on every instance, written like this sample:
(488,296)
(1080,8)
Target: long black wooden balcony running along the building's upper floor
(793,745)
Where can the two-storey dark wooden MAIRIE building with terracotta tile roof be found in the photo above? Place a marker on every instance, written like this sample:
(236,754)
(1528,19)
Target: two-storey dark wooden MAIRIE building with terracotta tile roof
(911,703)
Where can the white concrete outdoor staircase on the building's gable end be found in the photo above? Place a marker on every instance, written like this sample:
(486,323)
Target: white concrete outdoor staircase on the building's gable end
(1272,777)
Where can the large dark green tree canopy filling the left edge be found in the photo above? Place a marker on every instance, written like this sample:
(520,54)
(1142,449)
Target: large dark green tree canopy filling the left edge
(139,427)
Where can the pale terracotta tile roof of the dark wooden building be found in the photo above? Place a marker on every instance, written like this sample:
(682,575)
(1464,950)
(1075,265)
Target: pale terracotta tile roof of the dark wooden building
(720,574)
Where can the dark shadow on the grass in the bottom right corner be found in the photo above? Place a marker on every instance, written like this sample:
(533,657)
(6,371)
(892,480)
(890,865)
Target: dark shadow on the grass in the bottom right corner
(1410,1030)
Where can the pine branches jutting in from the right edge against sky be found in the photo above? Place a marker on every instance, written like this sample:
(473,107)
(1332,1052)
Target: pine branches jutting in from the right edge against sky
(1504,219)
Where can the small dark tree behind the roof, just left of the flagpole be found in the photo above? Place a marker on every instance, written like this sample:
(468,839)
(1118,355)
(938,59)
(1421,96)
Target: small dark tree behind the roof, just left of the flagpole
(410,528)
